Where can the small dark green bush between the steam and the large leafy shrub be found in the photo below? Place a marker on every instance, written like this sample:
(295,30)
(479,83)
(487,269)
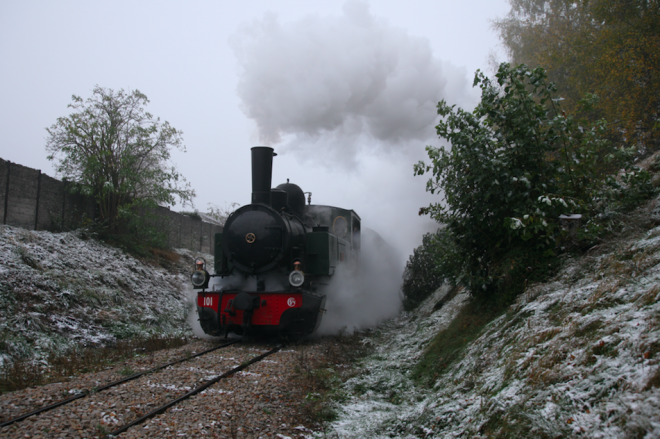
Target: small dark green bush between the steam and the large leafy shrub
(426,268)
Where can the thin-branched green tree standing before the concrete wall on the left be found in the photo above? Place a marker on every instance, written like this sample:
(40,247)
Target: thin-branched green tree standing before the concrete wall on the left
(118,153)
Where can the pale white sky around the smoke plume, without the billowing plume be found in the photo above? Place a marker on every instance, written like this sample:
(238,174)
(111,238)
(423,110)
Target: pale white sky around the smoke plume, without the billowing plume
(178,54)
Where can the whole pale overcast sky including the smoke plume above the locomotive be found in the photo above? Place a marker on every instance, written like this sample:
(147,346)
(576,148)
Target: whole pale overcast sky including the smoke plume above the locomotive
(345,91)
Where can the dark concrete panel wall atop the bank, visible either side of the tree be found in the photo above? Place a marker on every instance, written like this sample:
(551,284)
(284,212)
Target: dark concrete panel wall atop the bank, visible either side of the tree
(35,201)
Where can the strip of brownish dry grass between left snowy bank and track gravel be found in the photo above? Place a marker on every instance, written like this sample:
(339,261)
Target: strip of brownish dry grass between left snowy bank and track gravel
(21,374)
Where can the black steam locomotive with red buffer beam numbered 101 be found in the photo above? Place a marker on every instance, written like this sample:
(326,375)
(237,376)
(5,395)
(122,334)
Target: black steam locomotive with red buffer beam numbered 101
(274,260)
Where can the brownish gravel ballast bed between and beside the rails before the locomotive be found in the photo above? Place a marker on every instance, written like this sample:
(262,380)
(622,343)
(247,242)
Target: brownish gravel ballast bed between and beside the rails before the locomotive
(263,400)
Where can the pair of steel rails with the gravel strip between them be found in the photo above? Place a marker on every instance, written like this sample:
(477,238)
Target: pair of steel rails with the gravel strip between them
(114,408)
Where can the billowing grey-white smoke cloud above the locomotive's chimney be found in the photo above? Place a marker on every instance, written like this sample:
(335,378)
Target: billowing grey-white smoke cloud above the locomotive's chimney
(341,83)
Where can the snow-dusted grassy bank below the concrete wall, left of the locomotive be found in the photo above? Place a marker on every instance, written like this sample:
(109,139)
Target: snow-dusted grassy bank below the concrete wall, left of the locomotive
(58,291)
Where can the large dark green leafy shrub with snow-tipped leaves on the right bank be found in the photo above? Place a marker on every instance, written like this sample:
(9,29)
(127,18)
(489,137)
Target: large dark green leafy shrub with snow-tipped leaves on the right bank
(516,163)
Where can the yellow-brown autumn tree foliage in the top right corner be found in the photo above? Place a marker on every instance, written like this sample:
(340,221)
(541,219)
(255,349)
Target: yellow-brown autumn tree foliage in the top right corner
(607,47)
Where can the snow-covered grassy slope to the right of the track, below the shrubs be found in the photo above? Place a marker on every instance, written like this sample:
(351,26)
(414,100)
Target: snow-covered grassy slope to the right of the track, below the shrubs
(577,356)
